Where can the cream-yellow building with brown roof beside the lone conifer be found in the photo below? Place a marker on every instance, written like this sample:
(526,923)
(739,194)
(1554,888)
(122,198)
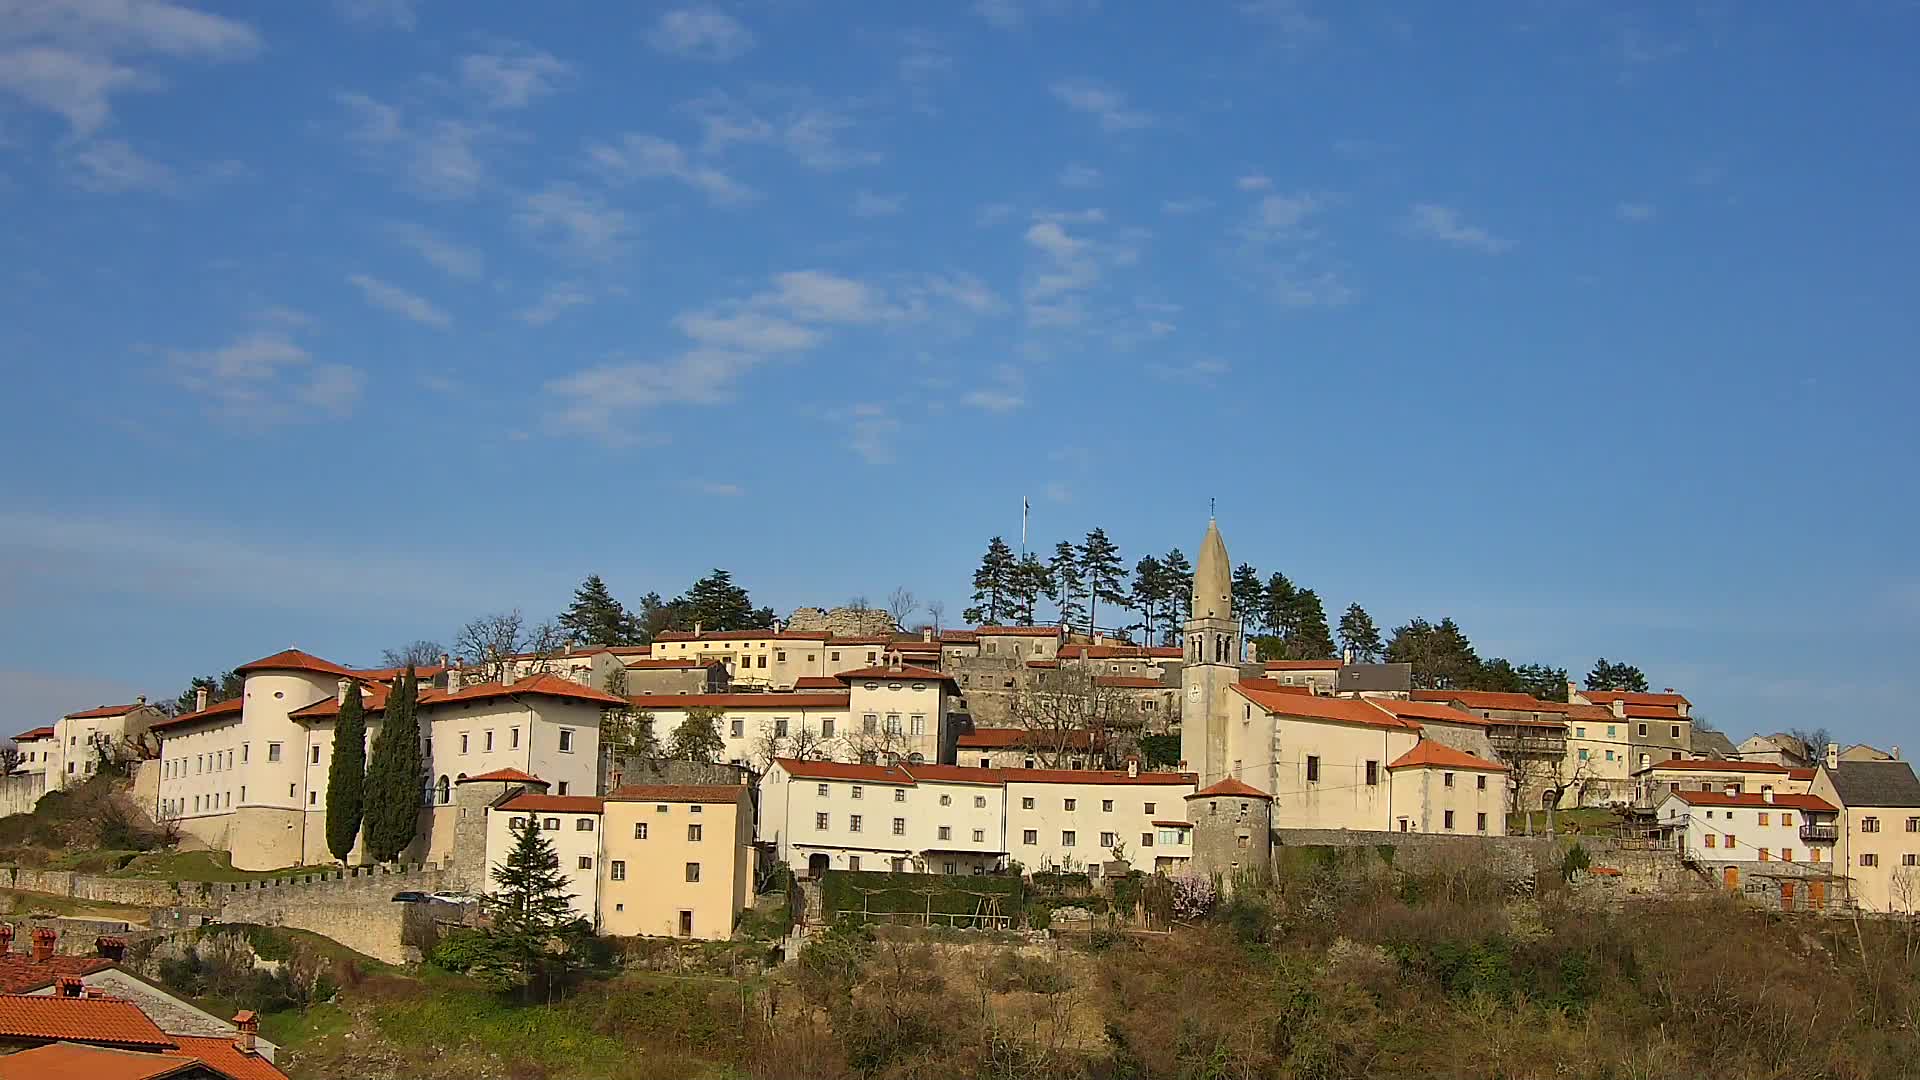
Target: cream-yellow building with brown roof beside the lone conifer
(679,860)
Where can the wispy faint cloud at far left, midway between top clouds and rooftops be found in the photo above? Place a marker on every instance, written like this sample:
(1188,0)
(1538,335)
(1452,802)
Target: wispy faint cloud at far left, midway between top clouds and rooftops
(266,378)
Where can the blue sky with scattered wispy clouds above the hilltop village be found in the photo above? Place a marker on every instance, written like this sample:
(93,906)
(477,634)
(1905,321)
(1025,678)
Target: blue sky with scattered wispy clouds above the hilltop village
(1591,326)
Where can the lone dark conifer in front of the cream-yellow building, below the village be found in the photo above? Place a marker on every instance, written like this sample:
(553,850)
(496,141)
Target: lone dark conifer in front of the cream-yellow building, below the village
(531,910)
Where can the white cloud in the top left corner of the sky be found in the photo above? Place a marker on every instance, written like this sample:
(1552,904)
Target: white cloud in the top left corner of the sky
(74,57)
